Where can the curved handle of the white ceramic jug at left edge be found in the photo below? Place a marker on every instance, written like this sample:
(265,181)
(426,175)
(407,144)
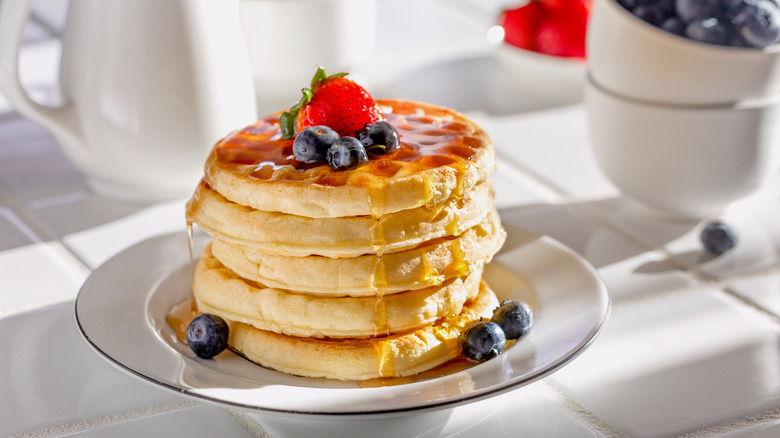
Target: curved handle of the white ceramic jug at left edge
(62,122)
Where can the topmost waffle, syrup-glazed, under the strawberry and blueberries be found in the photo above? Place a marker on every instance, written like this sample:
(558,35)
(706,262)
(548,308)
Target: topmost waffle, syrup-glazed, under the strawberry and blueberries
(443,155)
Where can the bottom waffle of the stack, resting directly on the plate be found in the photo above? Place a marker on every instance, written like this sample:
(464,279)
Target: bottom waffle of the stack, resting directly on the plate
(359,359)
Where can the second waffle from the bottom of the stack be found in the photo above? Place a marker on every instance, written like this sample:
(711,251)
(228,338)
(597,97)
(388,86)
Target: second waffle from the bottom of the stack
(221,292)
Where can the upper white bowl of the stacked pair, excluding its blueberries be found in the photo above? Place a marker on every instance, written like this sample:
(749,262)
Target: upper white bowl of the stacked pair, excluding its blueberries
(637,60)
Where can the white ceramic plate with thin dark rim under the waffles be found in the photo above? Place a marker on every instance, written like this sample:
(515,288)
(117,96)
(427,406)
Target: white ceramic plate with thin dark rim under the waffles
(121,312)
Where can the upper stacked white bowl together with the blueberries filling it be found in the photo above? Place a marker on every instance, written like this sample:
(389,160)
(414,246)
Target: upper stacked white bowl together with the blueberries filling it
(686,52)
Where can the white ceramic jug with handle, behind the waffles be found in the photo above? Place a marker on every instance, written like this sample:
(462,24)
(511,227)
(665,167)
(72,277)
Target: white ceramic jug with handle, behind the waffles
(149,86)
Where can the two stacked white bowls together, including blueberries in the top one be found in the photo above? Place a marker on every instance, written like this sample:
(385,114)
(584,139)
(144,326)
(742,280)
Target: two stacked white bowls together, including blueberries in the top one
(683,100)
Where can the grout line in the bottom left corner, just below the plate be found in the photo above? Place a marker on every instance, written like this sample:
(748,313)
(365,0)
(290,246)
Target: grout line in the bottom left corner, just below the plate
(108,420)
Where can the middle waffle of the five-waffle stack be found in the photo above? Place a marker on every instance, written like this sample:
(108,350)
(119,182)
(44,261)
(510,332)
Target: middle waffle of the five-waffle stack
(429,264)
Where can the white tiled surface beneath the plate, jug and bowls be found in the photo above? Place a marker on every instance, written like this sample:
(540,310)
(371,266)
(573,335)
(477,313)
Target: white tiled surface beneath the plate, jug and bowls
(692,347)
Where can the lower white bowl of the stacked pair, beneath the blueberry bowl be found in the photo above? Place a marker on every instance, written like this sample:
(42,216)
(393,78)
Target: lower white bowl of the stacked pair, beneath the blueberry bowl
(691,162)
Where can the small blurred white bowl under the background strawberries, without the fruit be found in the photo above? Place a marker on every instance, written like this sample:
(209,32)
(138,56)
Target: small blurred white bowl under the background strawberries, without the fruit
(555,75)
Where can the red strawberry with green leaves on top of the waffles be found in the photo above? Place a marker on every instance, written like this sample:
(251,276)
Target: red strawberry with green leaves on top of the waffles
(333,101)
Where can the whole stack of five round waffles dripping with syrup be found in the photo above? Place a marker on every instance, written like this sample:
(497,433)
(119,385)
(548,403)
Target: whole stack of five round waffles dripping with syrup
(349,274)
